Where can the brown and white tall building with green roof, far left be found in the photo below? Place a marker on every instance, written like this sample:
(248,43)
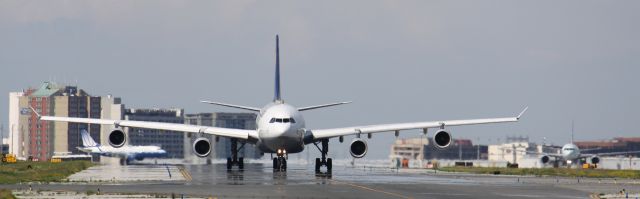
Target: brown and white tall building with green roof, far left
(40,139)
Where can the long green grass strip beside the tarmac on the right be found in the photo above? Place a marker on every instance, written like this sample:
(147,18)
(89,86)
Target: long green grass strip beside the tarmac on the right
(563,172)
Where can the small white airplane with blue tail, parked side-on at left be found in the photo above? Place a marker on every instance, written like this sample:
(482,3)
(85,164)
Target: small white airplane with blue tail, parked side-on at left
(125,153)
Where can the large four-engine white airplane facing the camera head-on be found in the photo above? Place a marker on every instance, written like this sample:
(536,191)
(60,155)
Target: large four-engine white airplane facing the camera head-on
(281,130)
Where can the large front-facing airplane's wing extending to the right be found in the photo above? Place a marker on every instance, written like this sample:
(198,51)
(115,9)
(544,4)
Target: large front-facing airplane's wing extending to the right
(329,133)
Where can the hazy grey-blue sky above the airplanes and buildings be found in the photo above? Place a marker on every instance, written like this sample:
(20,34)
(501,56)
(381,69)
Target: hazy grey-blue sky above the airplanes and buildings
(399,61)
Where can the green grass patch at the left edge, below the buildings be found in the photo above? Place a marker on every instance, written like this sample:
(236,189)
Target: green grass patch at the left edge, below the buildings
(40,171)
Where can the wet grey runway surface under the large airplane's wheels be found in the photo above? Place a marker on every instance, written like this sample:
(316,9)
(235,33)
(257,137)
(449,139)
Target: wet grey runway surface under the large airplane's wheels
(259,181)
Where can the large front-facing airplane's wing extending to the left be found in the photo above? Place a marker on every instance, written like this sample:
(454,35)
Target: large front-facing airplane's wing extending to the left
(225,132)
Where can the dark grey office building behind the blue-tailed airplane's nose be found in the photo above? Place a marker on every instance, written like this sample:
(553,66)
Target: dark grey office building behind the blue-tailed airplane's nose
(171,141)
